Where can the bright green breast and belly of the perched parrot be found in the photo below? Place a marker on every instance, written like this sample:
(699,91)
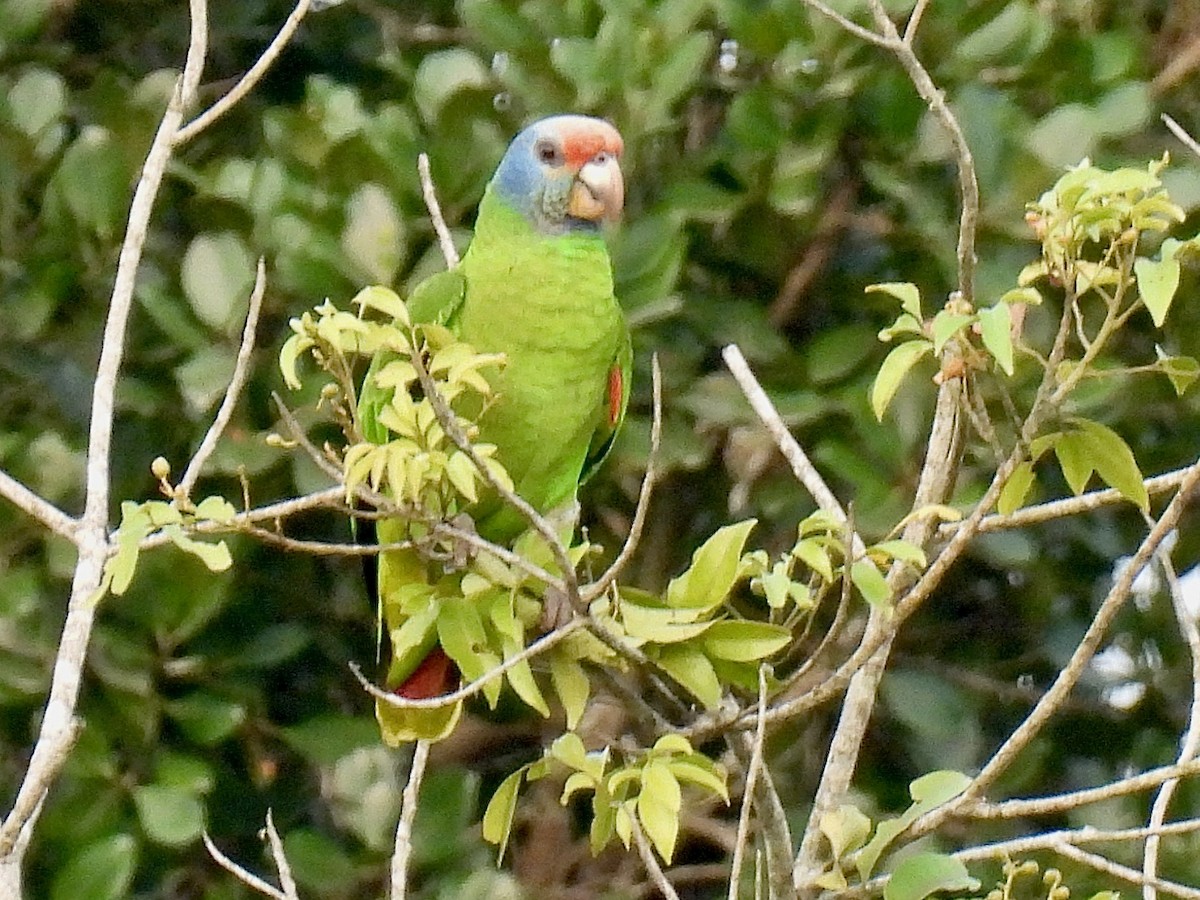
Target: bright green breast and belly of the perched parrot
(548,304)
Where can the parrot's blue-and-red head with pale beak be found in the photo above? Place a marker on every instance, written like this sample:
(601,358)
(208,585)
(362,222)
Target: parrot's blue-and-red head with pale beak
(565,175)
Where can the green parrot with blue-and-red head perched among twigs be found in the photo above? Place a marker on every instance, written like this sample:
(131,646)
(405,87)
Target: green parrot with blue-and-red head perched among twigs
(537,286)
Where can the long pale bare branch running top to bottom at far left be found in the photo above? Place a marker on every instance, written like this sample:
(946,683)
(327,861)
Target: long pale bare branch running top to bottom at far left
(92,537)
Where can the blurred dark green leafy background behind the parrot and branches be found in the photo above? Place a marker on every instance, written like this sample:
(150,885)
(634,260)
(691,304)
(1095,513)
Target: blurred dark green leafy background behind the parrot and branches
(776,166)
